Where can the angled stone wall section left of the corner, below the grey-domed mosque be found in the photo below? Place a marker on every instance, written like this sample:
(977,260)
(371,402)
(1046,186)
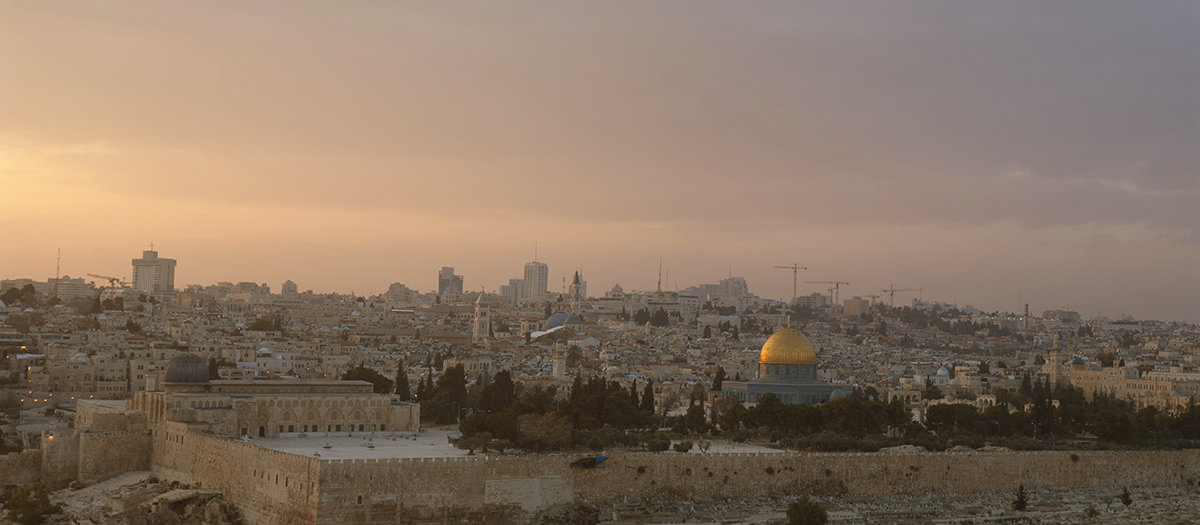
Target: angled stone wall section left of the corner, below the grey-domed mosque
(268,487)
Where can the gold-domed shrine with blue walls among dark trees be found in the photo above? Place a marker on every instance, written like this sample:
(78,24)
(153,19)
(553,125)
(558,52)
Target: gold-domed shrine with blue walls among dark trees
(788,369)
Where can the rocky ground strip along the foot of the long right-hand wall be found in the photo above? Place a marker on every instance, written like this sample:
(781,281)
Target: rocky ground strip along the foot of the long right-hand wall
(1051,506)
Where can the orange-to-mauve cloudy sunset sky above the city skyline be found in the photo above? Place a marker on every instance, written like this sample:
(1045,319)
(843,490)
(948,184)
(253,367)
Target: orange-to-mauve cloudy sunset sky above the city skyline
(993,154)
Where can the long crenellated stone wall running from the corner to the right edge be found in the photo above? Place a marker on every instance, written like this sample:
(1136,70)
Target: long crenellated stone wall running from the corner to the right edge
(507,488)
